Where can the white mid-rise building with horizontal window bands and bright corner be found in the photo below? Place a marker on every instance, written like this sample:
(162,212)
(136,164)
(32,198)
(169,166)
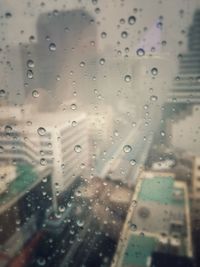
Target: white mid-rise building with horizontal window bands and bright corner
(58,141)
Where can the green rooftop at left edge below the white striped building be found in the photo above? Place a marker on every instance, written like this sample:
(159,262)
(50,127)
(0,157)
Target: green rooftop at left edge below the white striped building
(25,177)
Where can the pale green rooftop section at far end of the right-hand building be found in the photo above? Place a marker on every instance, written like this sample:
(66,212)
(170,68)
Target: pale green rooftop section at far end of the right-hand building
(159,189)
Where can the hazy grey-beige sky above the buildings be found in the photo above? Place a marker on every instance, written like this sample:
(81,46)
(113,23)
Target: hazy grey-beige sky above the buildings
(107,17)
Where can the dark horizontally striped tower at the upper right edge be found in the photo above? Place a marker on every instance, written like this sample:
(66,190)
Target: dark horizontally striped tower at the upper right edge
(186,87)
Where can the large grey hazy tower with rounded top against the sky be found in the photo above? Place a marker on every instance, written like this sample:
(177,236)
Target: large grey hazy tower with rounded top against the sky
(62,58)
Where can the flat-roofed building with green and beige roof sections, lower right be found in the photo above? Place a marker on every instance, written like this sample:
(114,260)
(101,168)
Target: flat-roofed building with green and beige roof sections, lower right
(157,224)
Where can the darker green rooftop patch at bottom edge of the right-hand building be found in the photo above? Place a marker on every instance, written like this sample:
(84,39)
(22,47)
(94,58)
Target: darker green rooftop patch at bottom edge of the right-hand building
(139,248)
